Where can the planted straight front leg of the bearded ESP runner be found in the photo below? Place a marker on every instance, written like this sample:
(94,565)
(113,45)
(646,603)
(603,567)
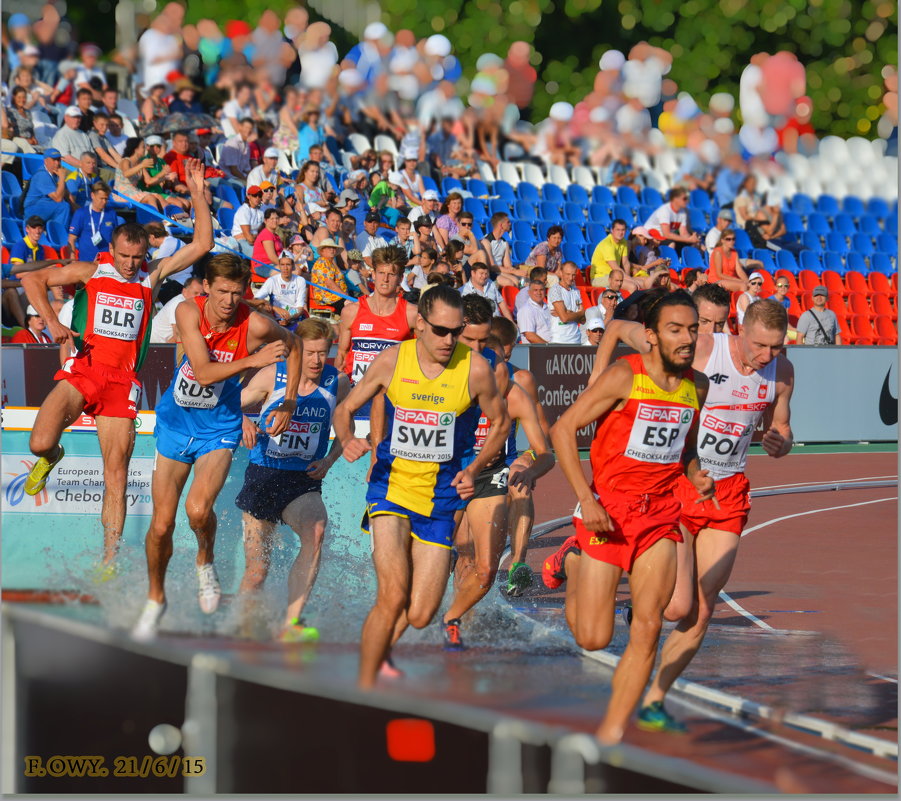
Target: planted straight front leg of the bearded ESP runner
(651,583)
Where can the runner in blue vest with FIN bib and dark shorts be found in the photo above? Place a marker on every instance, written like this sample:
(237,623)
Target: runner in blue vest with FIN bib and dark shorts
(283,482)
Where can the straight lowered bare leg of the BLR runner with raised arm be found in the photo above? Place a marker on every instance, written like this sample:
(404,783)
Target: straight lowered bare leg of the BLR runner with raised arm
(117,441)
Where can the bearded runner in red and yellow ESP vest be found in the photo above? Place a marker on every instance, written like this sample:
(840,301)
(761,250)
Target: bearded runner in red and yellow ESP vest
(628,518)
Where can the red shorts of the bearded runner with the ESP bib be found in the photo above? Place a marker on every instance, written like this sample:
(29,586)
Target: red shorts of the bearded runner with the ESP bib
(639,522)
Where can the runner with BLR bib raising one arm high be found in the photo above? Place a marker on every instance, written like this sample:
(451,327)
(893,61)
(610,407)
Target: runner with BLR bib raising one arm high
(111,323)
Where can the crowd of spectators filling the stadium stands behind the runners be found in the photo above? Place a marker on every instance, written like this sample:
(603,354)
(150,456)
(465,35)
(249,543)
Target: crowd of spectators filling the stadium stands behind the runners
(316,158)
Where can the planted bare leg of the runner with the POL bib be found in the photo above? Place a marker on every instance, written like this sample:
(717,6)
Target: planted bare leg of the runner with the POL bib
(715,553)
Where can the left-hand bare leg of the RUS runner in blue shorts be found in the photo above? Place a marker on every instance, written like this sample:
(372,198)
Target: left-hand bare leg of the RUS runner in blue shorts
(169,477)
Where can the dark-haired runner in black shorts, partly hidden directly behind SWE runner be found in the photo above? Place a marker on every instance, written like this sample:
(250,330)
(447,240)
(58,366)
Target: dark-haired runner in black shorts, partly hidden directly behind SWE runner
(482,532)
